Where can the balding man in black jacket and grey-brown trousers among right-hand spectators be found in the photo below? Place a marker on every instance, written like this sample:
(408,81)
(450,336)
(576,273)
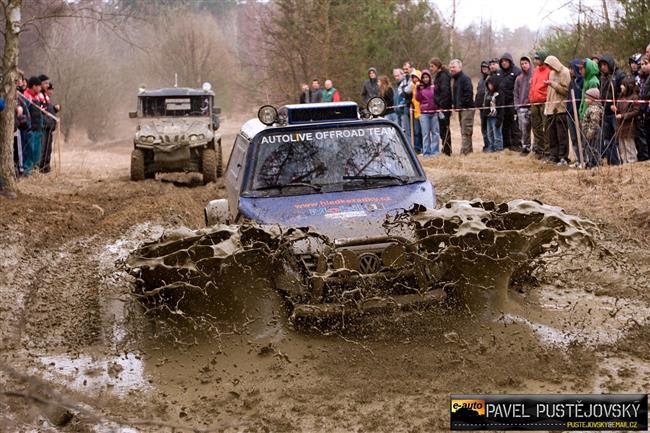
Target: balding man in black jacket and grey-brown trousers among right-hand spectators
(463,100)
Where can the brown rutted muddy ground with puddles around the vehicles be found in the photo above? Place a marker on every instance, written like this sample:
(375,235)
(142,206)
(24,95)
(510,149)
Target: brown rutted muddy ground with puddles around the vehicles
(72,335)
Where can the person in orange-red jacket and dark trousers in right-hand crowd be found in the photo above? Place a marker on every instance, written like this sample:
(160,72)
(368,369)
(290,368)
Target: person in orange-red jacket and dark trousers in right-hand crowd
(537,98)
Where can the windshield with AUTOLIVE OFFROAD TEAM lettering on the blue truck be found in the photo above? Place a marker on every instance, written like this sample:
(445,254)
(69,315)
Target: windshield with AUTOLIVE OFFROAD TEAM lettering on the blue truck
(355,157)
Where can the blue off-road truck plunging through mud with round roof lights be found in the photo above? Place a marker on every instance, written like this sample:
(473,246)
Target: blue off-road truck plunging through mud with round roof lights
(340,171)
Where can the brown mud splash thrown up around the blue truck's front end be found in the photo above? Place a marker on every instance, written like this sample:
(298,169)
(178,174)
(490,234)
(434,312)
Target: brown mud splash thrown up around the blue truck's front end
(463,248)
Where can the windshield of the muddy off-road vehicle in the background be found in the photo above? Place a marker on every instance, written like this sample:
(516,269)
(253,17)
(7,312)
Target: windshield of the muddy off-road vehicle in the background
(175,106)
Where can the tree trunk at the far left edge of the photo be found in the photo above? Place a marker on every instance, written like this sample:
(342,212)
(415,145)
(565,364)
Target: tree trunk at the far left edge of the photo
(8,92)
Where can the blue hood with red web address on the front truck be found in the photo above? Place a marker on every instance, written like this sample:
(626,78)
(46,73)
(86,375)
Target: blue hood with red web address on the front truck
(343,214)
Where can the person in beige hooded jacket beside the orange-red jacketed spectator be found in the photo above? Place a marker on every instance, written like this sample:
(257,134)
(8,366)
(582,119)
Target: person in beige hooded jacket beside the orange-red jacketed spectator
(558,82)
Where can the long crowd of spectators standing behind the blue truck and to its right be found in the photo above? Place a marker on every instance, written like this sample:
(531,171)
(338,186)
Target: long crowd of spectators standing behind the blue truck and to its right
(539,106)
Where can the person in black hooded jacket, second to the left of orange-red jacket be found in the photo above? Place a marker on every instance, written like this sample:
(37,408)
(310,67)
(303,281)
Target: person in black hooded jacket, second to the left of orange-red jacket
(508,74)
